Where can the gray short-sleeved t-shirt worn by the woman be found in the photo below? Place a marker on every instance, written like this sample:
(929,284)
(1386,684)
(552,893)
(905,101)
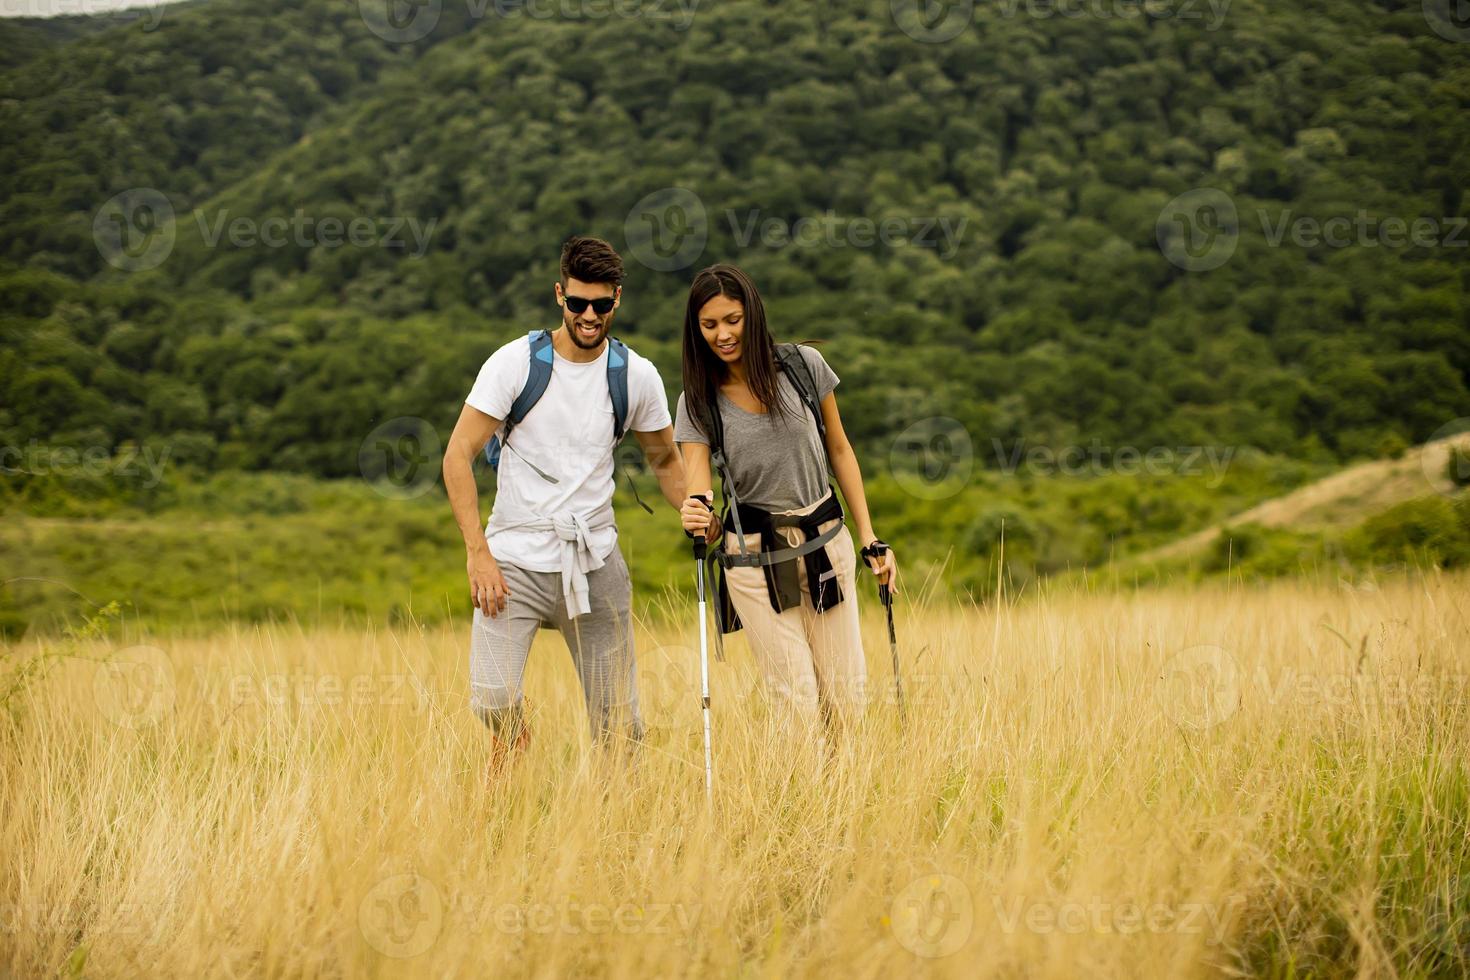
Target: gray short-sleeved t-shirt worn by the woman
(777,465)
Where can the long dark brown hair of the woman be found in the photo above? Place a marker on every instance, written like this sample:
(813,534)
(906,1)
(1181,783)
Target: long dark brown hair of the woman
(703,371)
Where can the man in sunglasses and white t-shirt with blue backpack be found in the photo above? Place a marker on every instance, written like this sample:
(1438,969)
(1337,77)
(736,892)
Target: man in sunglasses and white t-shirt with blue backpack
(549,555)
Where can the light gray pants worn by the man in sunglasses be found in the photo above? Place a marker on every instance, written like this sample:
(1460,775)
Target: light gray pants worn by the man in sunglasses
(600,643)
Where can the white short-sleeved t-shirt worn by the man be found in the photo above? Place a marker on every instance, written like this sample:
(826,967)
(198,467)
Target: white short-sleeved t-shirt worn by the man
(570,436)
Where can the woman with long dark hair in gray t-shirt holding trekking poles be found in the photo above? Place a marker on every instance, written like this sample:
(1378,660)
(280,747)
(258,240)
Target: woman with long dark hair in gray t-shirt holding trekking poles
(761,402)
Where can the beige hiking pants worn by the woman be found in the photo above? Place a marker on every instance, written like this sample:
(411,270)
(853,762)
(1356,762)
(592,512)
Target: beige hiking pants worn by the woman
(812,662)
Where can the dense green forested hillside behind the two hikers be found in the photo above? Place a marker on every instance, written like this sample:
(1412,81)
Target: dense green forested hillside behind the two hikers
(1036,155)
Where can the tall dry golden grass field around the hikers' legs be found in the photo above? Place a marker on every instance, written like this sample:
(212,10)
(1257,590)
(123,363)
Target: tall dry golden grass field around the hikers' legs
(1161,784)
